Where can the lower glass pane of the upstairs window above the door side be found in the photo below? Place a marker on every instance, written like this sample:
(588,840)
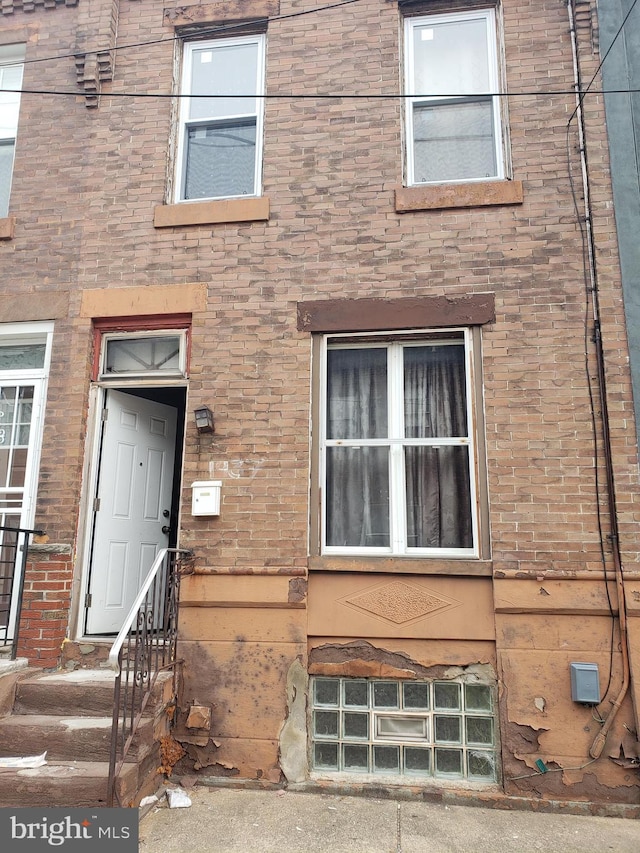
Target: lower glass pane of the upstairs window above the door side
(221,160)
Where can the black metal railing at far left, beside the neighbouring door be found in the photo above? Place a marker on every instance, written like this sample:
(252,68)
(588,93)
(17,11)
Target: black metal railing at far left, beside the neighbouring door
(14,545)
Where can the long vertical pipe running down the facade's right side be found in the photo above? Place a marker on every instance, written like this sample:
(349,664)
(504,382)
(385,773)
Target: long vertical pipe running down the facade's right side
(599,741)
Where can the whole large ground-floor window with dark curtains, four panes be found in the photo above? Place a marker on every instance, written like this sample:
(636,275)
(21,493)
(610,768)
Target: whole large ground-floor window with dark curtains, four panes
(397,449)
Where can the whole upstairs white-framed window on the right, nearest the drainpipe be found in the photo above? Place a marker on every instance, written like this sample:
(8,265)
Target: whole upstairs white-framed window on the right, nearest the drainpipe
(453,127)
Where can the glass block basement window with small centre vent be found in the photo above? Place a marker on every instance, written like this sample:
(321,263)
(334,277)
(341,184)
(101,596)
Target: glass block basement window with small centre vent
(441,729)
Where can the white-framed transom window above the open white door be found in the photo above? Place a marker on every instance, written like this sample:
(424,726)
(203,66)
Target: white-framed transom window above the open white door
(160,354)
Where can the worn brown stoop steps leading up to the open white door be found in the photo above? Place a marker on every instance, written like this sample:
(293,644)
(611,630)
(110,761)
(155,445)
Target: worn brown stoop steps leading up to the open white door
(68,715)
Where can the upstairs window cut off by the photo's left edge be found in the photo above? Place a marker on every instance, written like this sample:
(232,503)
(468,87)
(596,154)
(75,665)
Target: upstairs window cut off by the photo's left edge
(11,67)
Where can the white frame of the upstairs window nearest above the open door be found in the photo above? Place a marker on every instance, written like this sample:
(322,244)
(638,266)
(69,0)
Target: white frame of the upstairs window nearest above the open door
(184,123)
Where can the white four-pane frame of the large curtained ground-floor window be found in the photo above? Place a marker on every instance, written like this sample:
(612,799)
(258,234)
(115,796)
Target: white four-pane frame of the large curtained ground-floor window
(396,442)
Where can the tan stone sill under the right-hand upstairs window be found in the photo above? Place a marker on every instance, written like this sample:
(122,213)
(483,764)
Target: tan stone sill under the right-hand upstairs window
(440,196)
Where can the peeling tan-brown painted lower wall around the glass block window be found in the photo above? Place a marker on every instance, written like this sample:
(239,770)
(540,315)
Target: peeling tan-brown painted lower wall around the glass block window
(241,636)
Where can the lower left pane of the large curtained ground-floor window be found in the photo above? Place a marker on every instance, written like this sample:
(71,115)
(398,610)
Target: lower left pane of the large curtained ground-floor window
(358,496)
